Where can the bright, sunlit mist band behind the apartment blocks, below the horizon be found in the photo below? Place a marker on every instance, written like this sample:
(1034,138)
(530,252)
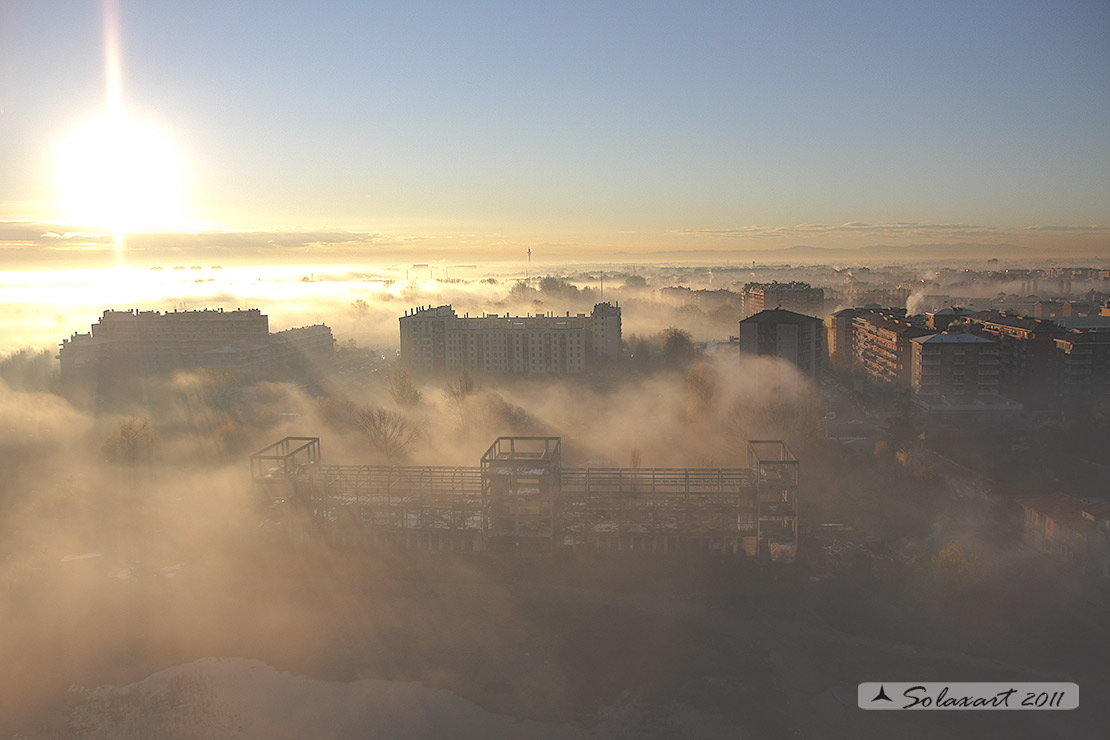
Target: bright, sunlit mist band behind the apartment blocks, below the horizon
(42,309)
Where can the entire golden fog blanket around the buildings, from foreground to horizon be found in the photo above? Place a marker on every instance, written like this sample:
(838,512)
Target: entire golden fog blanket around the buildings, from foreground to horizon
(149,593)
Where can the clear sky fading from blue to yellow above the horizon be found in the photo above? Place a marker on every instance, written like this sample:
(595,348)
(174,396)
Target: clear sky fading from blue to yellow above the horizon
(576,128)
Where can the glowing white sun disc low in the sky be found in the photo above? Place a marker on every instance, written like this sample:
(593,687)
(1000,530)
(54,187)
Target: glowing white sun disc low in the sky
(116,173)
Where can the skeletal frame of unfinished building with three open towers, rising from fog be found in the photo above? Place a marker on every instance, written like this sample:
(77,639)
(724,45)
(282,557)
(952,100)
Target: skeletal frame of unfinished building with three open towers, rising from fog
(521,499)
